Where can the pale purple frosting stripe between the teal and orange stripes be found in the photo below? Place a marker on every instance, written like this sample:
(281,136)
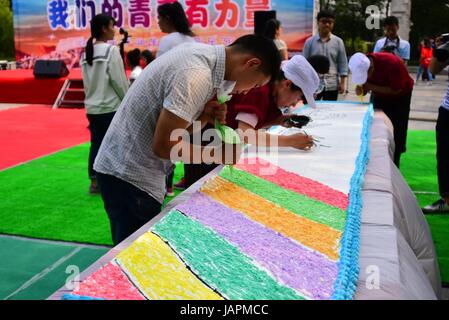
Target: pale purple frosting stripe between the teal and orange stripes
(308,272)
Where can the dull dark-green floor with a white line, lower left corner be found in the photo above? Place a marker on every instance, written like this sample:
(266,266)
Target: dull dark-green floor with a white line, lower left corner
(22,260)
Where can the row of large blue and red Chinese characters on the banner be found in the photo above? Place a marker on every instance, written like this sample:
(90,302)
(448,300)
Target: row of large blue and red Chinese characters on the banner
(218,14)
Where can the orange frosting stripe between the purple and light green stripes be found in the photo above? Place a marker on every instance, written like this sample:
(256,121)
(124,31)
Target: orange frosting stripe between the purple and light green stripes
(311,234)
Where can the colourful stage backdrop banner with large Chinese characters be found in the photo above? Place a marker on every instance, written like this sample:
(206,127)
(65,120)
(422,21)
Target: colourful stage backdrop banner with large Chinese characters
(59,29)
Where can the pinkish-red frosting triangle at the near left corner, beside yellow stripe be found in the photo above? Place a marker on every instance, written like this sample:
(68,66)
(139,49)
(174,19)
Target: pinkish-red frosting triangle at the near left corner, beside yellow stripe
(109,283)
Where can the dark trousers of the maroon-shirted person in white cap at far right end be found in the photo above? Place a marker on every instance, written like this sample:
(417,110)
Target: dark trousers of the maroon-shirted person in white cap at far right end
(398,111)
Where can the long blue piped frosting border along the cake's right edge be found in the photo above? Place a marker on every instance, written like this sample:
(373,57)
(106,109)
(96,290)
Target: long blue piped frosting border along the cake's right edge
(348,274)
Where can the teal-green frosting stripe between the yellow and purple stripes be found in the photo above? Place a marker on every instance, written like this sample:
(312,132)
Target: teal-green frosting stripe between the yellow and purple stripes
(218,263)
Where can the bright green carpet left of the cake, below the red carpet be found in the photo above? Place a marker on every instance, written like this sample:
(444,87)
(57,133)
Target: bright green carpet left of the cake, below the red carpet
(48,199)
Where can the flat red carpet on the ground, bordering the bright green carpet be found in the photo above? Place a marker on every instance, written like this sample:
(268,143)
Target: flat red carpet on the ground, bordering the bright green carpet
(34,131)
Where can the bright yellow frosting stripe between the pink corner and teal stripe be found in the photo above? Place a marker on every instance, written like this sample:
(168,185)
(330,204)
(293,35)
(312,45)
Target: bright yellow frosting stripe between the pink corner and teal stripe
(159,273)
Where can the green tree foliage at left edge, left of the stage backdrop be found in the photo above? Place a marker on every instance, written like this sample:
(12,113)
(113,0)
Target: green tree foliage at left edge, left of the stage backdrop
(6,30)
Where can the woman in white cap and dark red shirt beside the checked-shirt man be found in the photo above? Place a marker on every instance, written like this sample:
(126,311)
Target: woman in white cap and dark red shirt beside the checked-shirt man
(261,107)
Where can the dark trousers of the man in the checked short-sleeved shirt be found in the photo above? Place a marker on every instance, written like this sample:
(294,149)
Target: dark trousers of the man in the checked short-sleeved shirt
(128,207)
